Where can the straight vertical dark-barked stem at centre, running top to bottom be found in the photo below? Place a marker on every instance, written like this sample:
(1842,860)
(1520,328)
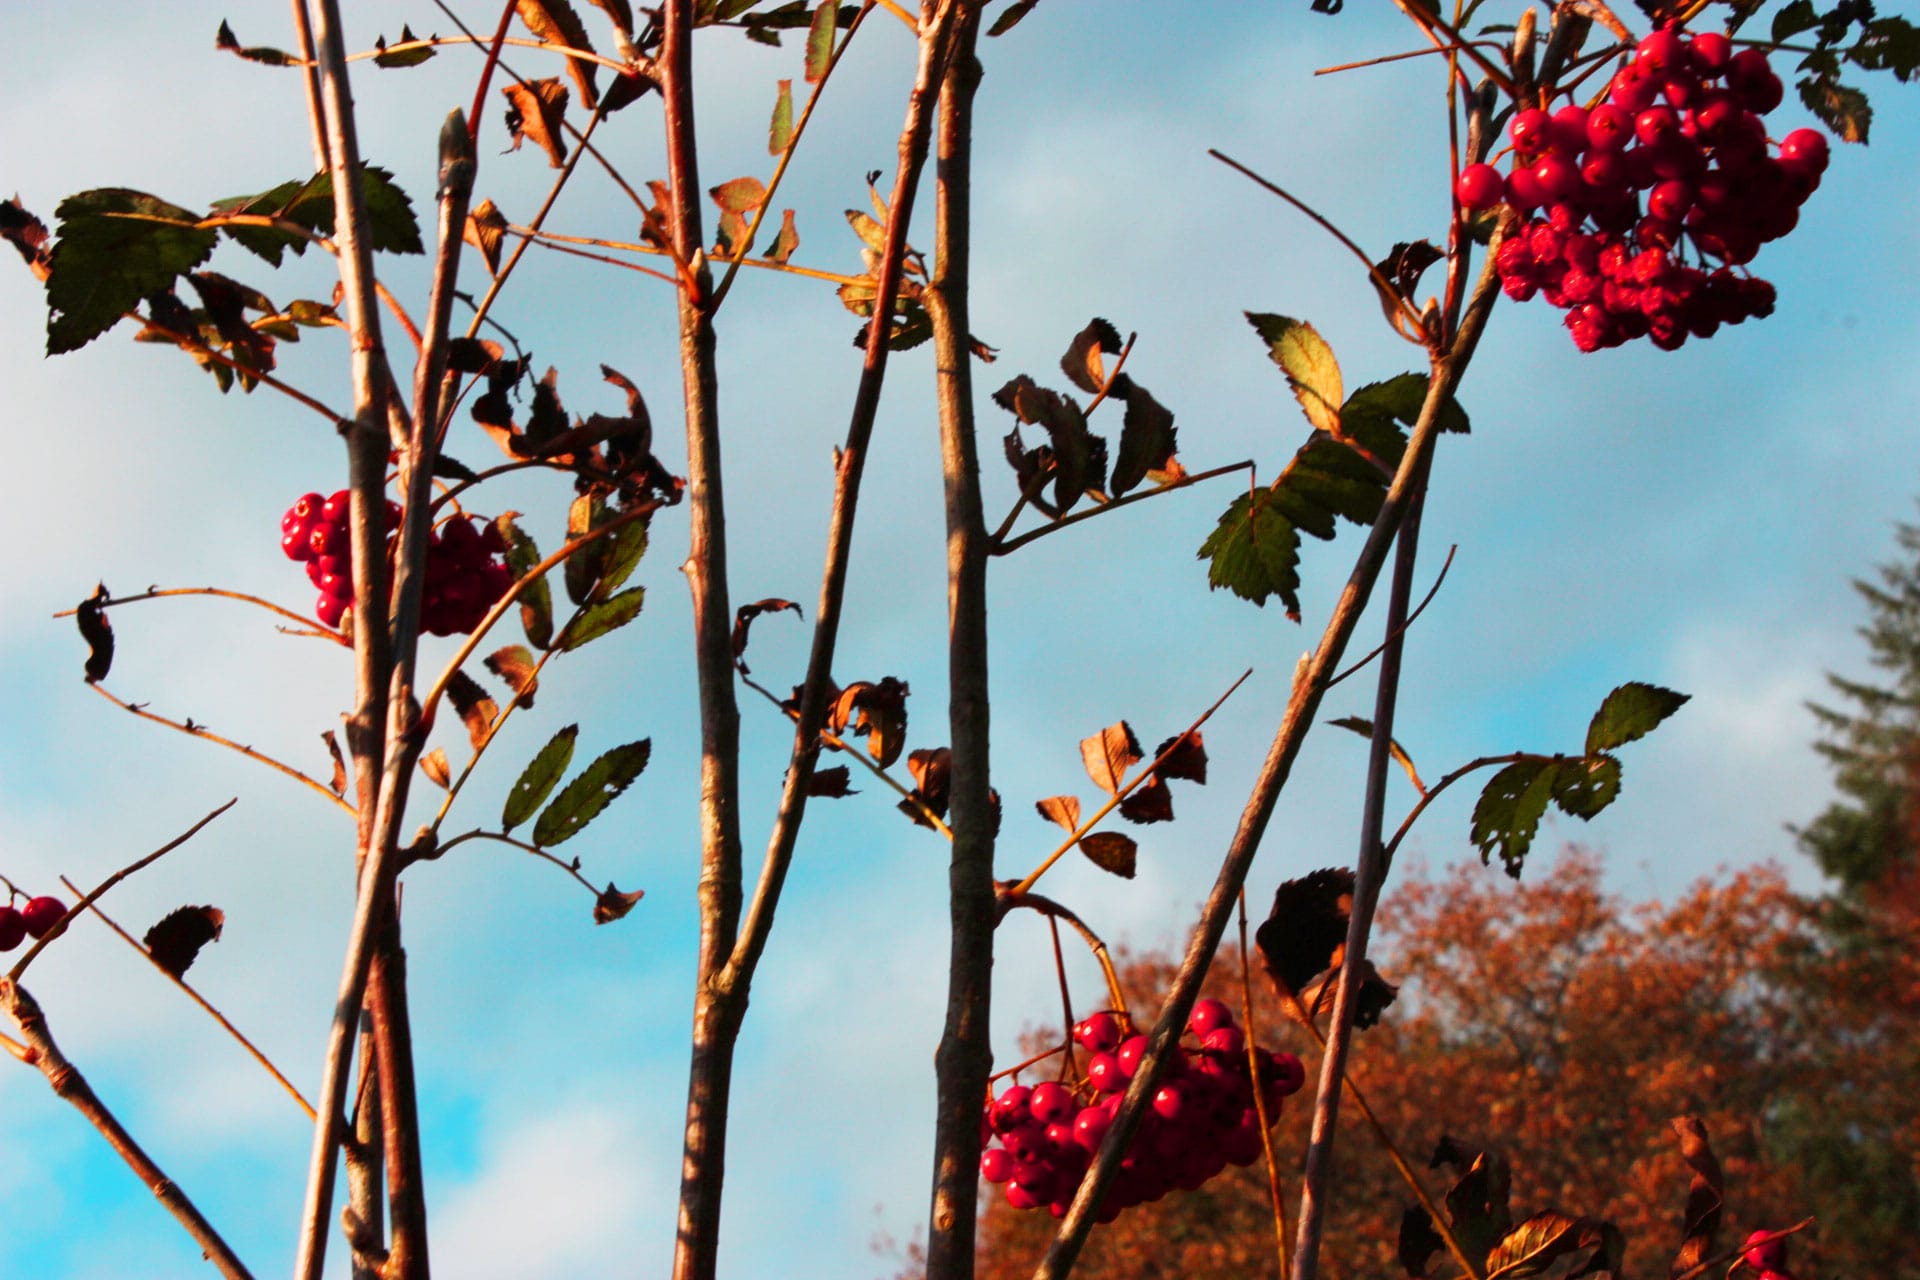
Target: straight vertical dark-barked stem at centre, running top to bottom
(965,1056)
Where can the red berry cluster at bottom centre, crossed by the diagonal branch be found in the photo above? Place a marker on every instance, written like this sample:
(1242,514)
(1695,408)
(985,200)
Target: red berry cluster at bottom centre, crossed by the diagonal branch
(1203,1118)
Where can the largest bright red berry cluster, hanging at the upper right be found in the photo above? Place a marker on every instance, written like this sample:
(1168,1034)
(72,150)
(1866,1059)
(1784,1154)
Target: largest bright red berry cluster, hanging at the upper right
(1614,195)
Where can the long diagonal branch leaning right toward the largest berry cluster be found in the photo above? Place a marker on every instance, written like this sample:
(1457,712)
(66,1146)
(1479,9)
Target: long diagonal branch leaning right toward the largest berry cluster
(1310,684)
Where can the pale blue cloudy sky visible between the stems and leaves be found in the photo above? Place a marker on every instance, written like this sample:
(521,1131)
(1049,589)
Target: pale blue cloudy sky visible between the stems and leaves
(1685,519)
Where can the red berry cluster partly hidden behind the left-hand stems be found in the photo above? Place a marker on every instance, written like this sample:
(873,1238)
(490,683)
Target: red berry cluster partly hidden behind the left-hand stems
(466,573)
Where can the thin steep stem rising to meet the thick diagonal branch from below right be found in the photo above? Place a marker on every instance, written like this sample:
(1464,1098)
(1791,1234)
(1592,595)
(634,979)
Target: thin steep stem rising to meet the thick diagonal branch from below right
(1370,874)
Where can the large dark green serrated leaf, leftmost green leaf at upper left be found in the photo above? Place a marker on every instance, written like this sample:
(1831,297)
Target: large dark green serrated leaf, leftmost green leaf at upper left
(116,247)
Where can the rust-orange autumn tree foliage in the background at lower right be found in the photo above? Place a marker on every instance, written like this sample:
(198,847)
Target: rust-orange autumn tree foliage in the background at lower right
(1566,1030)
